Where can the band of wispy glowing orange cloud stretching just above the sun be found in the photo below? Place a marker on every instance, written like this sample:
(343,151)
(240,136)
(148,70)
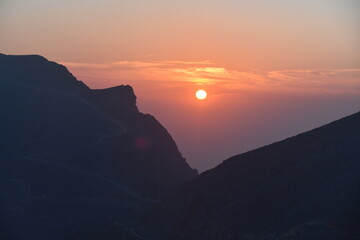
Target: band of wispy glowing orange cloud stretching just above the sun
(206,72)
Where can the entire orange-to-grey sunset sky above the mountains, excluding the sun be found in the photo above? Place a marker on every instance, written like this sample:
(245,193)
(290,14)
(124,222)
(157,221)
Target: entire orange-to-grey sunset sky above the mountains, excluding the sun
(272,68)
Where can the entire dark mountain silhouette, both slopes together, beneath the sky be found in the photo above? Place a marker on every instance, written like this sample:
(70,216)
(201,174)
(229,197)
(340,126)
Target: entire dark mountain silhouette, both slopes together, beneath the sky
(78,163)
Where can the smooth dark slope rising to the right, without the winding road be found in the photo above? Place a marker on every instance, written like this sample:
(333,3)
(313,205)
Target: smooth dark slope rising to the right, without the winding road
(304,187)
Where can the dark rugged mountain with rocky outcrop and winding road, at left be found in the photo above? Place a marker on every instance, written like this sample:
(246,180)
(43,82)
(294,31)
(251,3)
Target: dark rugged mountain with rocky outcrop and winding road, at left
(72,157)
